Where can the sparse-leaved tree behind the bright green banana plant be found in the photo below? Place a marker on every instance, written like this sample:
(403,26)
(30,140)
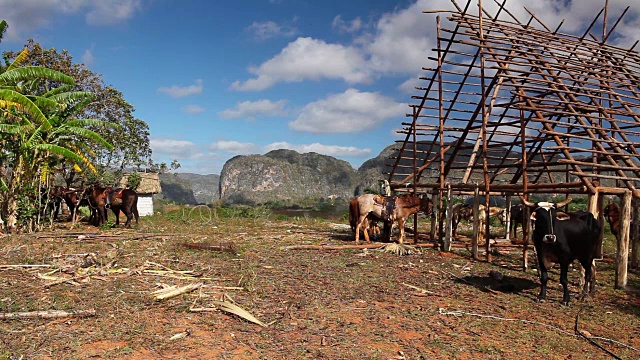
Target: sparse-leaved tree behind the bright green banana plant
(130,139)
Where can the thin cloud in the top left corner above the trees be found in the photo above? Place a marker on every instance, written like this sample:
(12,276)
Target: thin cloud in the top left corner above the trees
(26,16)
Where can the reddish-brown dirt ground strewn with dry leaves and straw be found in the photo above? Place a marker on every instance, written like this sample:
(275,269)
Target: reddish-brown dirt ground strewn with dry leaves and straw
(315,304)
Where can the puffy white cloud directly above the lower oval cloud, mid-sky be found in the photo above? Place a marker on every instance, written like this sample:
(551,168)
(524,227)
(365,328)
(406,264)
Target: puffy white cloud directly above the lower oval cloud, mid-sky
(308,59)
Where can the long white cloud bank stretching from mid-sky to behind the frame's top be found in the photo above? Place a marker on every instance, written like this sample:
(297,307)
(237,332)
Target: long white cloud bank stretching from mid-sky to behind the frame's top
(402,41)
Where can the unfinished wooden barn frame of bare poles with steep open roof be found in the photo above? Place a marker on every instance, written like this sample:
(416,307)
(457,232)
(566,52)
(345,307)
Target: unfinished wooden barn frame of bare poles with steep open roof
(517,108)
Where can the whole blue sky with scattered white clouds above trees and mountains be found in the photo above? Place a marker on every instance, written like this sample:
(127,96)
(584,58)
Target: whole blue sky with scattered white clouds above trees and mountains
(218,78)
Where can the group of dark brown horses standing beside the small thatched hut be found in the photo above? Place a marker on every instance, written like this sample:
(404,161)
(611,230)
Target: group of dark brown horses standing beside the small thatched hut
(97,198)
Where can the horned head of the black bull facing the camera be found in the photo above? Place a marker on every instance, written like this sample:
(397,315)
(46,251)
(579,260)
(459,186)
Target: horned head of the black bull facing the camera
(543,217)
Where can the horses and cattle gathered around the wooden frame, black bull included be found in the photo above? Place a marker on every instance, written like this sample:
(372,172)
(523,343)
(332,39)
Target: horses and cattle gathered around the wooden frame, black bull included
(558,236)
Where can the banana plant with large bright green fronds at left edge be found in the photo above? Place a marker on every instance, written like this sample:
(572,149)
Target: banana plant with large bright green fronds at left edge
(39,130)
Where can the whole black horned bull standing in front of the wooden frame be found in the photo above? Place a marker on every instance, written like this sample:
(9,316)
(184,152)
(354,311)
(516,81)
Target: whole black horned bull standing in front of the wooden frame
(561,237)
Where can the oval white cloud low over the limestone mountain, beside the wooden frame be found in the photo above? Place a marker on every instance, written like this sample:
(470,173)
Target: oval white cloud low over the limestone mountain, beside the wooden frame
(351,111)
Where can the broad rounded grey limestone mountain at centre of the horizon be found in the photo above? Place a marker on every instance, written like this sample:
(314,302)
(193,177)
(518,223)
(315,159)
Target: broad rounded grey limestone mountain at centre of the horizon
(285,175)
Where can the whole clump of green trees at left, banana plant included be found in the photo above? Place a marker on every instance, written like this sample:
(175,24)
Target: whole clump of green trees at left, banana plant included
(59,122)
